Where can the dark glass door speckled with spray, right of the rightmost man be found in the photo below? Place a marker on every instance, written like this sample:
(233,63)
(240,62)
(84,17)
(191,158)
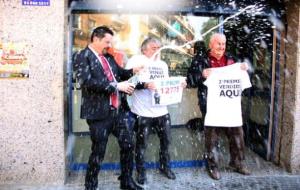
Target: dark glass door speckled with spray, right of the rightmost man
(252,39)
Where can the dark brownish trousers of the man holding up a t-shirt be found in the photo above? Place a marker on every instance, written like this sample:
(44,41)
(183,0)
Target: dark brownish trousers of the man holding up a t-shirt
(235,136)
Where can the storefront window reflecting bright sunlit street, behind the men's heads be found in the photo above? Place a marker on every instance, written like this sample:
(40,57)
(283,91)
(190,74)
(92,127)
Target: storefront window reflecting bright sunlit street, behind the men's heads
(130,30)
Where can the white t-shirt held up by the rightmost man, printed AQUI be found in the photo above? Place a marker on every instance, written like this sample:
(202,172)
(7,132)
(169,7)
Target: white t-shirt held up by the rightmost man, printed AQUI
(225,86)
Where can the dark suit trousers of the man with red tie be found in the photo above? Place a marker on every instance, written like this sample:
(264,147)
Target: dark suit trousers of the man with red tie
(117,124)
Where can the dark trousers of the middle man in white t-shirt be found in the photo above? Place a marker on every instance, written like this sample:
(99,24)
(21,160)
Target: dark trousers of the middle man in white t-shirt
(161,125)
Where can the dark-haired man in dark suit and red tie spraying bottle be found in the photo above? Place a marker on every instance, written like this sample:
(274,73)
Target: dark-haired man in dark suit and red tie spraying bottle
(104,105)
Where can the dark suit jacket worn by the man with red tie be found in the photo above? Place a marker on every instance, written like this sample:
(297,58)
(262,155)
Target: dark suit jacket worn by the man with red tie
(95,86)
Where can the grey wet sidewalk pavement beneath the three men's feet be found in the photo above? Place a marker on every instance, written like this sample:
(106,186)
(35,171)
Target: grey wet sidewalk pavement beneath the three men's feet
(265,176)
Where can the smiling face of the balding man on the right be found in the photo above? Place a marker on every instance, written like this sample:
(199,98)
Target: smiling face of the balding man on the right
(217,45)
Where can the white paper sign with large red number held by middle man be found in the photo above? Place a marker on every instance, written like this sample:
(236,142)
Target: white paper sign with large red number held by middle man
(169,91)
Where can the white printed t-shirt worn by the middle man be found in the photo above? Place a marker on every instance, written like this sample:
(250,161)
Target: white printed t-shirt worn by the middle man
(140,101)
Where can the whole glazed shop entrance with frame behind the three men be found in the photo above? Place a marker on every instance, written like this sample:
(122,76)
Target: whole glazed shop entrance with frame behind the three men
(253,43)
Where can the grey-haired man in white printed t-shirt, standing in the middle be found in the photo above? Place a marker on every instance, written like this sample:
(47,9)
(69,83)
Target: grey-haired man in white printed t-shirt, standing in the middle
(149,116)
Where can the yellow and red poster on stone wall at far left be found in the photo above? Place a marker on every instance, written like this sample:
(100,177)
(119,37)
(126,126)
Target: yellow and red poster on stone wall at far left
(13,60)
